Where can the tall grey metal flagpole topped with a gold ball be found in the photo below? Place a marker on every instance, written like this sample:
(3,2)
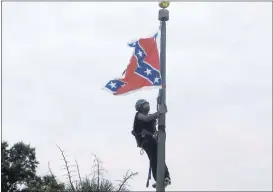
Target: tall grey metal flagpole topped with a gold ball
(163,16)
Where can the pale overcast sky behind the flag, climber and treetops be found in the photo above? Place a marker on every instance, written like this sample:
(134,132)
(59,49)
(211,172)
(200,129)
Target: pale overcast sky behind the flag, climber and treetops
(58,56)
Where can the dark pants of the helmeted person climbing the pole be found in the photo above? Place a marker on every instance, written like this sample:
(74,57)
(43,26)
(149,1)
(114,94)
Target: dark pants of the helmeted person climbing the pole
(150,147)
